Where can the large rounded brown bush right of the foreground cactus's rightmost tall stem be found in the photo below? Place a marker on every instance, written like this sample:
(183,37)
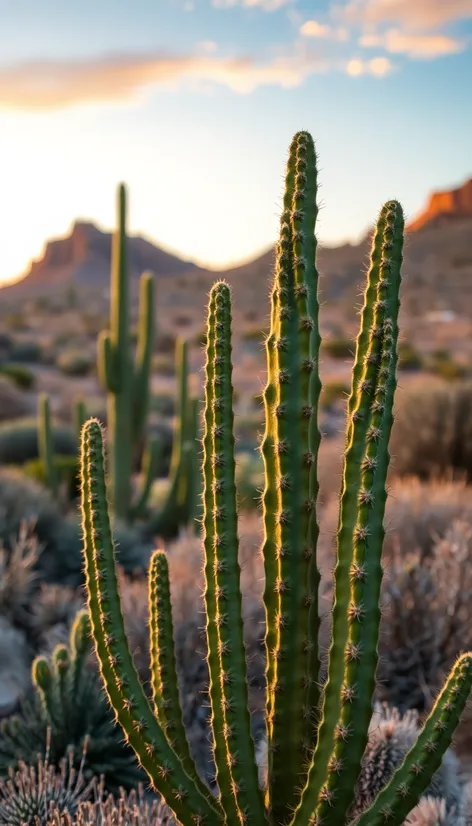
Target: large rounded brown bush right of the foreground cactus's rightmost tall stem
(432,431)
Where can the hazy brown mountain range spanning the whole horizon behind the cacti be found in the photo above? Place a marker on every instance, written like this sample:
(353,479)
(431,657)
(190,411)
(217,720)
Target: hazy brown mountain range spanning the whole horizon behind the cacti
(437,265)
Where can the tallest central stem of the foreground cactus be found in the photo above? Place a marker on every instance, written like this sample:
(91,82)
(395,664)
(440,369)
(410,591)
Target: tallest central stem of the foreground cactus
(295,410)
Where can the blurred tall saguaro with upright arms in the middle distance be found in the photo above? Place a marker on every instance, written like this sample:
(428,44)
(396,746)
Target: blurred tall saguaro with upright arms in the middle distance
(128,388)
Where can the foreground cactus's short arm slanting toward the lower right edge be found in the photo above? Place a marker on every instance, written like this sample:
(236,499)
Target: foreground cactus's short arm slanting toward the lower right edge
(397,799)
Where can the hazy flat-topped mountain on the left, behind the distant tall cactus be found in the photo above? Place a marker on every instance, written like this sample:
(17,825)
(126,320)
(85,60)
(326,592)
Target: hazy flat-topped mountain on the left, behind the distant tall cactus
(83,258)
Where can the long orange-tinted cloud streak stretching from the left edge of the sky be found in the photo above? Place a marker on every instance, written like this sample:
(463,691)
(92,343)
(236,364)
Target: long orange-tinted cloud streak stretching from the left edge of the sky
(47,84)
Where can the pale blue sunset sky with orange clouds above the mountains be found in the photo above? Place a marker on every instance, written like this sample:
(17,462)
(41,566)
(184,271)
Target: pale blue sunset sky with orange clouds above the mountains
(193,103)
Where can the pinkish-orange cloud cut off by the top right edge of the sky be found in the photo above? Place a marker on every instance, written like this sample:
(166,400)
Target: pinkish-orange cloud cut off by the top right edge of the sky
(419,15)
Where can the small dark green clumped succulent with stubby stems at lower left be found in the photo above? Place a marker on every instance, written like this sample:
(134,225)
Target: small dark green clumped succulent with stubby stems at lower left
(69,703)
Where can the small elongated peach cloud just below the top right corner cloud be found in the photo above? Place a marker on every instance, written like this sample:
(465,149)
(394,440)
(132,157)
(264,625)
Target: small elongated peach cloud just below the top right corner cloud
(418,46)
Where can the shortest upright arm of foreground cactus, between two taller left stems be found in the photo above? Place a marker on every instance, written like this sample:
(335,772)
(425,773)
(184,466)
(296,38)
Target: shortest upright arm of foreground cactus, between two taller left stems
(164,680)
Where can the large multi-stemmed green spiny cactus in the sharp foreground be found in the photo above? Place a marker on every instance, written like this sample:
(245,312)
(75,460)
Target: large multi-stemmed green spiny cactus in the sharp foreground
(316,737)
